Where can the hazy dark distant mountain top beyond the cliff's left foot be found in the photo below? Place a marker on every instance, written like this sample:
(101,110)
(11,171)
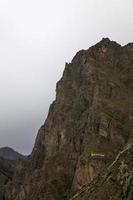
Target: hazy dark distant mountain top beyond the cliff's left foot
(9,154)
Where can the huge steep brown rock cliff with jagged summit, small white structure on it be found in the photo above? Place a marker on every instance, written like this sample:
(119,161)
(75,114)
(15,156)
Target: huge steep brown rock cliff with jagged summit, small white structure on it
(89,122)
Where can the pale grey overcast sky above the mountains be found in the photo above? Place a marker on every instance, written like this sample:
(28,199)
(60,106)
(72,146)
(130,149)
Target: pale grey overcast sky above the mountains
(37,37)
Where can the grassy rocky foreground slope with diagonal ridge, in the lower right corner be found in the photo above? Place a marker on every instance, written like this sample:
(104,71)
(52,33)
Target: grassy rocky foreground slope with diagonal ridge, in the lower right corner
(116,183)
